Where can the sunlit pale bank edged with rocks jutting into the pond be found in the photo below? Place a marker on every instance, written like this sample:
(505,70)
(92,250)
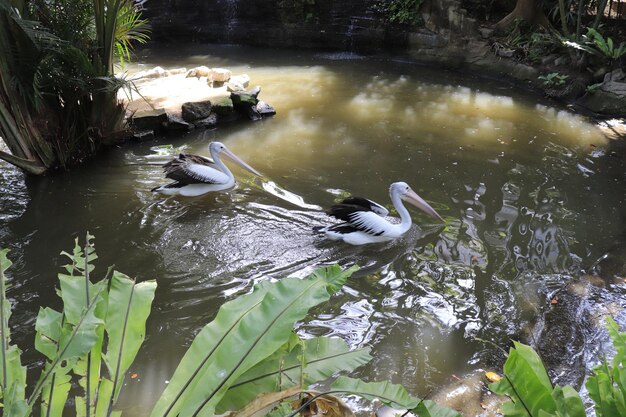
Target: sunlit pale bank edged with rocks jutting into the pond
(181,99)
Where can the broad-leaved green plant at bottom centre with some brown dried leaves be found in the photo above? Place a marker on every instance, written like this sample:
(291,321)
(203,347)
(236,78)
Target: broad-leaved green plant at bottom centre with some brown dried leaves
(249,352)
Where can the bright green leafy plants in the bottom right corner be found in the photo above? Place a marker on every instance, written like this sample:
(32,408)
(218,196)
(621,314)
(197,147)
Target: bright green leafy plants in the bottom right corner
(532,394)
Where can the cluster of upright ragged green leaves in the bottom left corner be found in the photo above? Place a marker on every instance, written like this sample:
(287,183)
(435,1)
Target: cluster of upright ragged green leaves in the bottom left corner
(92,341)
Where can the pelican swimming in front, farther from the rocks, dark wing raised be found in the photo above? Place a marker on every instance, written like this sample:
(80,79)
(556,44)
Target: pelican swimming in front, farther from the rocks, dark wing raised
(363,220)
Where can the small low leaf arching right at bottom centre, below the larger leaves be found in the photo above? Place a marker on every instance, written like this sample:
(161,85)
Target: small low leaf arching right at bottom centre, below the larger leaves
(393,395)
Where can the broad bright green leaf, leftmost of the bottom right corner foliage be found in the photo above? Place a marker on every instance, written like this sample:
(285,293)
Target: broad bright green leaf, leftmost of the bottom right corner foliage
(526,383)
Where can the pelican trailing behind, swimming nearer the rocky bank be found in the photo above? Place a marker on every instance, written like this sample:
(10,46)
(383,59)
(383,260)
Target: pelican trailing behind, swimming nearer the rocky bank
(195,175)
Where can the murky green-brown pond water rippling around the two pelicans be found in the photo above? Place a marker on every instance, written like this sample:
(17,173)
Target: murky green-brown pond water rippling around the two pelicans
(531,194)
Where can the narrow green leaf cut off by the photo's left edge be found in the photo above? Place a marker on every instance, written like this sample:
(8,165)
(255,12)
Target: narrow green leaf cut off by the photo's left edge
(12,373)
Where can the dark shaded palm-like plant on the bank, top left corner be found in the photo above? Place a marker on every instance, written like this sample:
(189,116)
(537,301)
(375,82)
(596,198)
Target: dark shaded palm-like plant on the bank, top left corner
(58,94)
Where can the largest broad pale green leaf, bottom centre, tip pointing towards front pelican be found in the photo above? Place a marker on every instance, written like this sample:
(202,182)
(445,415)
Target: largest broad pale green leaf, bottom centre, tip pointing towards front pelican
(244,332)
